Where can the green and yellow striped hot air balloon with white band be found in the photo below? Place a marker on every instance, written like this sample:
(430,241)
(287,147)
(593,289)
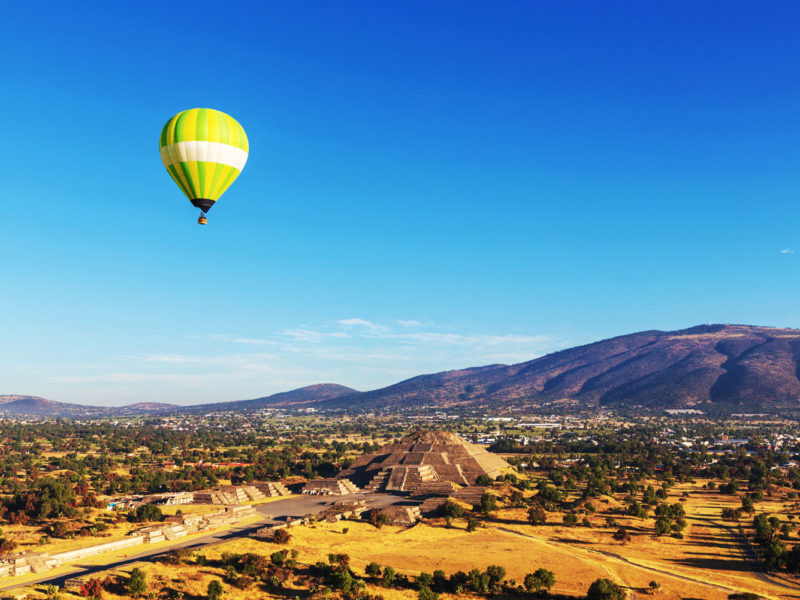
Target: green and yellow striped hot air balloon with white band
(204,151)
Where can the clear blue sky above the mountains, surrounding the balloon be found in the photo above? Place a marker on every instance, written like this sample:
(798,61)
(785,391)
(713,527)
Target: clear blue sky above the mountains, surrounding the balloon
(431,185)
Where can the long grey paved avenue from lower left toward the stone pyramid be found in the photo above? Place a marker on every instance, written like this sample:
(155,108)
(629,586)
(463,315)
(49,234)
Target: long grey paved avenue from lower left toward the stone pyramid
(279,511)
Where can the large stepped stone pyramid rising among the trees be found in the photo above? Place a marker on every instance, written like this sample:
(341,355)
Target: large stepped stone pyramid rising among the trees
(424,462)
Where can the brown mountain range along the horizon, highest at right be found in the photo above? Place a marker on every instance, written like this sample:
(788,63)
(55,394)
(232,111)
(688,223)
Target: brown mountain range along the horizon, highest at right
(741,367)
